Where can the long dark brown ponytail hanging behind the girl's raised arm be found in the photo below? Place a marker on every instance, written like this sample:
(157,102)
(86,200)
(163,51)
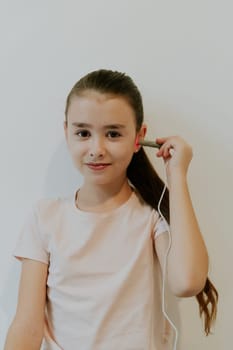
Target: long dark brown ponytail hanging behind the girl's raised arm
(145,179)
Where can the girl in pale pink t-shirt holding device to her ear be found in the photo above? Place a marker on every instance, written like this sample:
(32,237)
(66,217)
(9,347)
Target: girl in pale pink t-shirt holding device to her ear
(92,263)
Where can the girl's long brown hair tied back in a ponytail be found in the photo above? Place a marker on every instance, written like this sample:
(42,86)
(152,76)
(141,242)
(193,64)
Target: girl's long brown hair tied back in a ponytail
(140,171)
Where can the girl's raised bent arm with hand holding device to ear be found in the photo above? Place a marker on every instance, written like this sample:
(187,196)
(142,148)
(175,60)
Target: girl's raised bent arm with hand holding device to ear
(187,264)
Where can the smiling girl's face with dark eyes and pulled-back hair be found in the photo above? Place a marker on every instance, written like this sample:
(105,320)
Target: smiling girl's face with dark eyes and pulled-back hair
(101,134)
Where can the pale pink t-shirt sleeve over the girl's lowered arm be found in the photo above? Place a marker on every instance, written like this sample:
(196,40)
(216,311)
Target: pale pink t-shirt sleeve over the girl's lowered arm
(30,243)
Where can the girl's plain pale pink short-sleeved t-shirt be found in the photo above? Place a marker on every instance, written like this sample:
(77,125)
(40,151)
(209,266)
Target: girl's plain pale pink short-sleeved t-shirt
(104,281)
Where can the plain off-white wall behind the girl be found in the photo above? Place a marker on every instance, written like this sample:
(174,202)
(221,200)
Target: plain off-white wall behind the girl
(180,54)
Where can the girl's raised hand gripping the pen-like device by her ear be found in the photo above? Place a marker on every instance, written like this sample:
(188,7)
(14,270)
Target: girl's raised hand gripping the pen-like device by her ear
(177,154)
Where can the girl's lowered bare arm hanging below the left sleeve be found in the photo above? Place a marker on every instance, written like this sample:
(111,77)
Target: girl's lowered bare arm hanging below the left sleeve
(26,330)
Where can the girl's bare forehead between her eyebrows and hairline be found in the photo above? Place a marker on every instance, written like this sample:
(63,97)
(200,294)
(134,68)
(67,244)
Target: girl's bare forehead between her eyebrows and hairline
(93,104)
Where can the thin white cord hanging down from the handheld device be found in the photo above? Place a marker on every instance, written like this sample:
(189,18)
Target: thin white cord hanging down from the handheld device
(164,272)
